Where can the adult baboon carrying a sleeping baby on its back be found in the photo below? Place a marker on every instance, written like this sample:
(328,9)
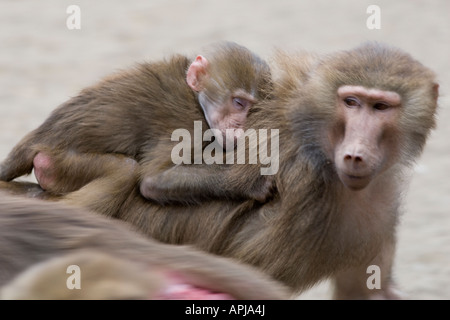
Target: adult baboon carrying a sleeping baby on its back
(350,124)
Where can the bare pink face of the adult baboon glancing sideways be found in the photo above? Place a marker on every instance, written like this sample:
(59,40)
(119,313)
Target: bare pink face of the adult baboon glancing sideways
(364,139)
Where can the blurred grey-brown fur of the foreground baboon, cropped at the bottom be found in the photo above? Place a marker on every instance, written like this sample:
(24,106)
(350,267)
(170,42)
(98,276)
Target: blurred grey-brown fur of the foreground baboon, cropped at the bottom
(34,232)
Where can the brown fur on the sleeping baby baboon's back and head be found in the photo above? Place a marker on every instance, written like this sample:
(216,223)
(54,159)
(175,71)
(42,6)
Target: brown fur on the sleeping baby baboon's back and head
(134,113)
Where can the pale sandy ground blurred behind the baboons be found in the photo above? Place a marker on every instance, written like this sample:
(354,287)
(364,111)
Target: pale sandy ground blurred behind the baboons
(42,64)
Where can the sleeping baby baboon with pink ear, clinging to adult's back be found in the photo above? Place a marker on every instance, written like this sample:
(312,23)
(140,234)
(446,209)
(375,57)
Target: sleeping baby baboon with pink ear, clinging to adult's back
(135,112)
